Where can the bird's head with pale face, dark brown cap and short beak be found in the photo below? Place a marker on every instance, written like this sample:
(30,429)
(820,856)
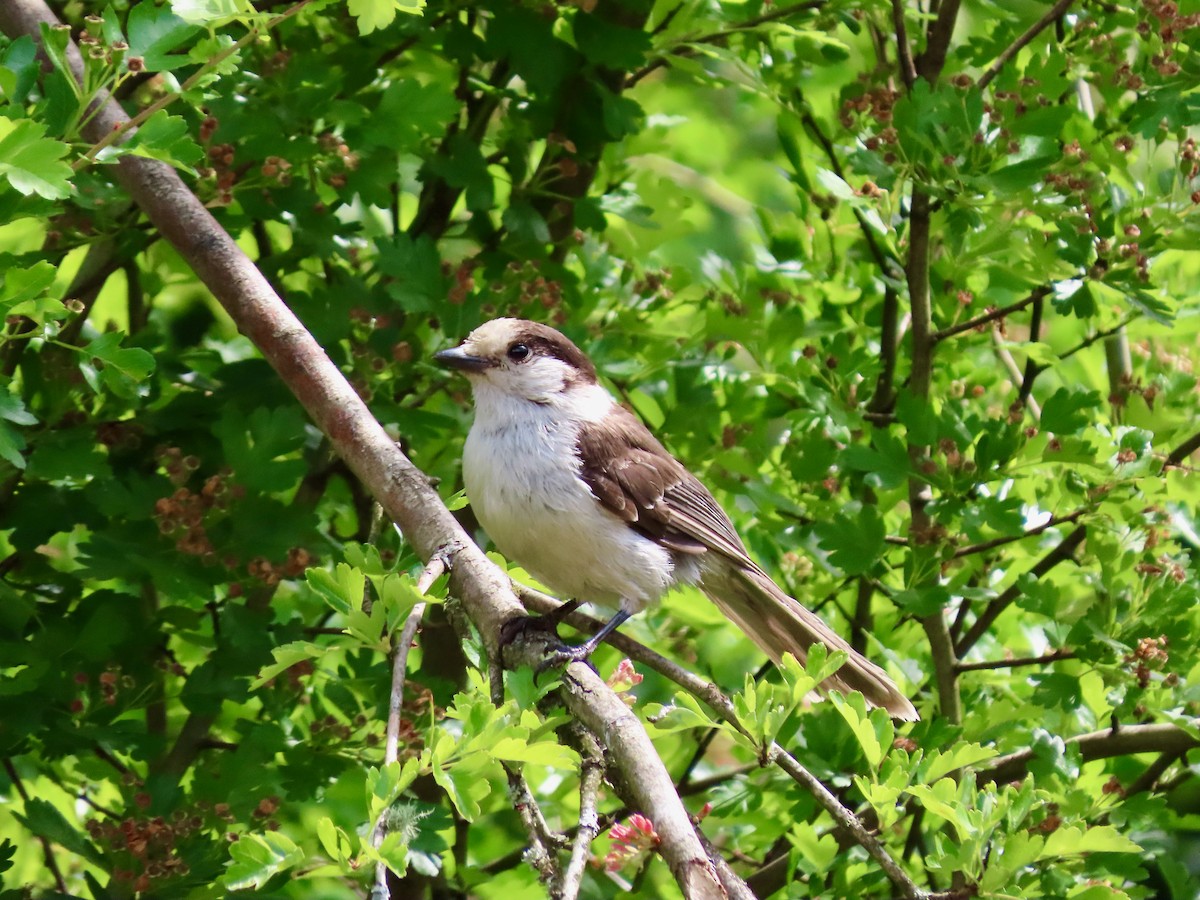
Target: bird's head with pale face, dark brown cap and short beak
(521,359)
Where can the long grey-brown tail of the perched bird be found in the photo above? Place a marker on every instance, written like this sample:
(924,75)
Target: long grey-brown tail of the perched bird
(779,625)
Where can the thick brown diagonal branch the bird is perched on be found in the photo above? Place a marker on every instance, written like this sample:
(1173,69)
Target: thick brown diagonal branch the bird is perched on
(401,489)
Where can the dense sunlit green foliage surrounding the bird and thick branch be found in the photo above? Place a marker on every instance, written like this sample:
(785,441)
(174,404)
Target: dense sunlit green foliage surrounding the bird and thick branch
(719,203)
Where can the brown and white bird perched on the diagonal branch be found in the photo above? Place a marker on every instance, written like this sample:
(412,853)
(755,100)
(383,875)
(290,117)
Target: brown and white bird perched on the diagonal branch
(574,488)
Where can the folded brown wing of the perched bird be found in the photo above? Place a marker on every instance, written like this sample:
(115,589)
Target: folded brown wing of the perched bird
(633,476)
